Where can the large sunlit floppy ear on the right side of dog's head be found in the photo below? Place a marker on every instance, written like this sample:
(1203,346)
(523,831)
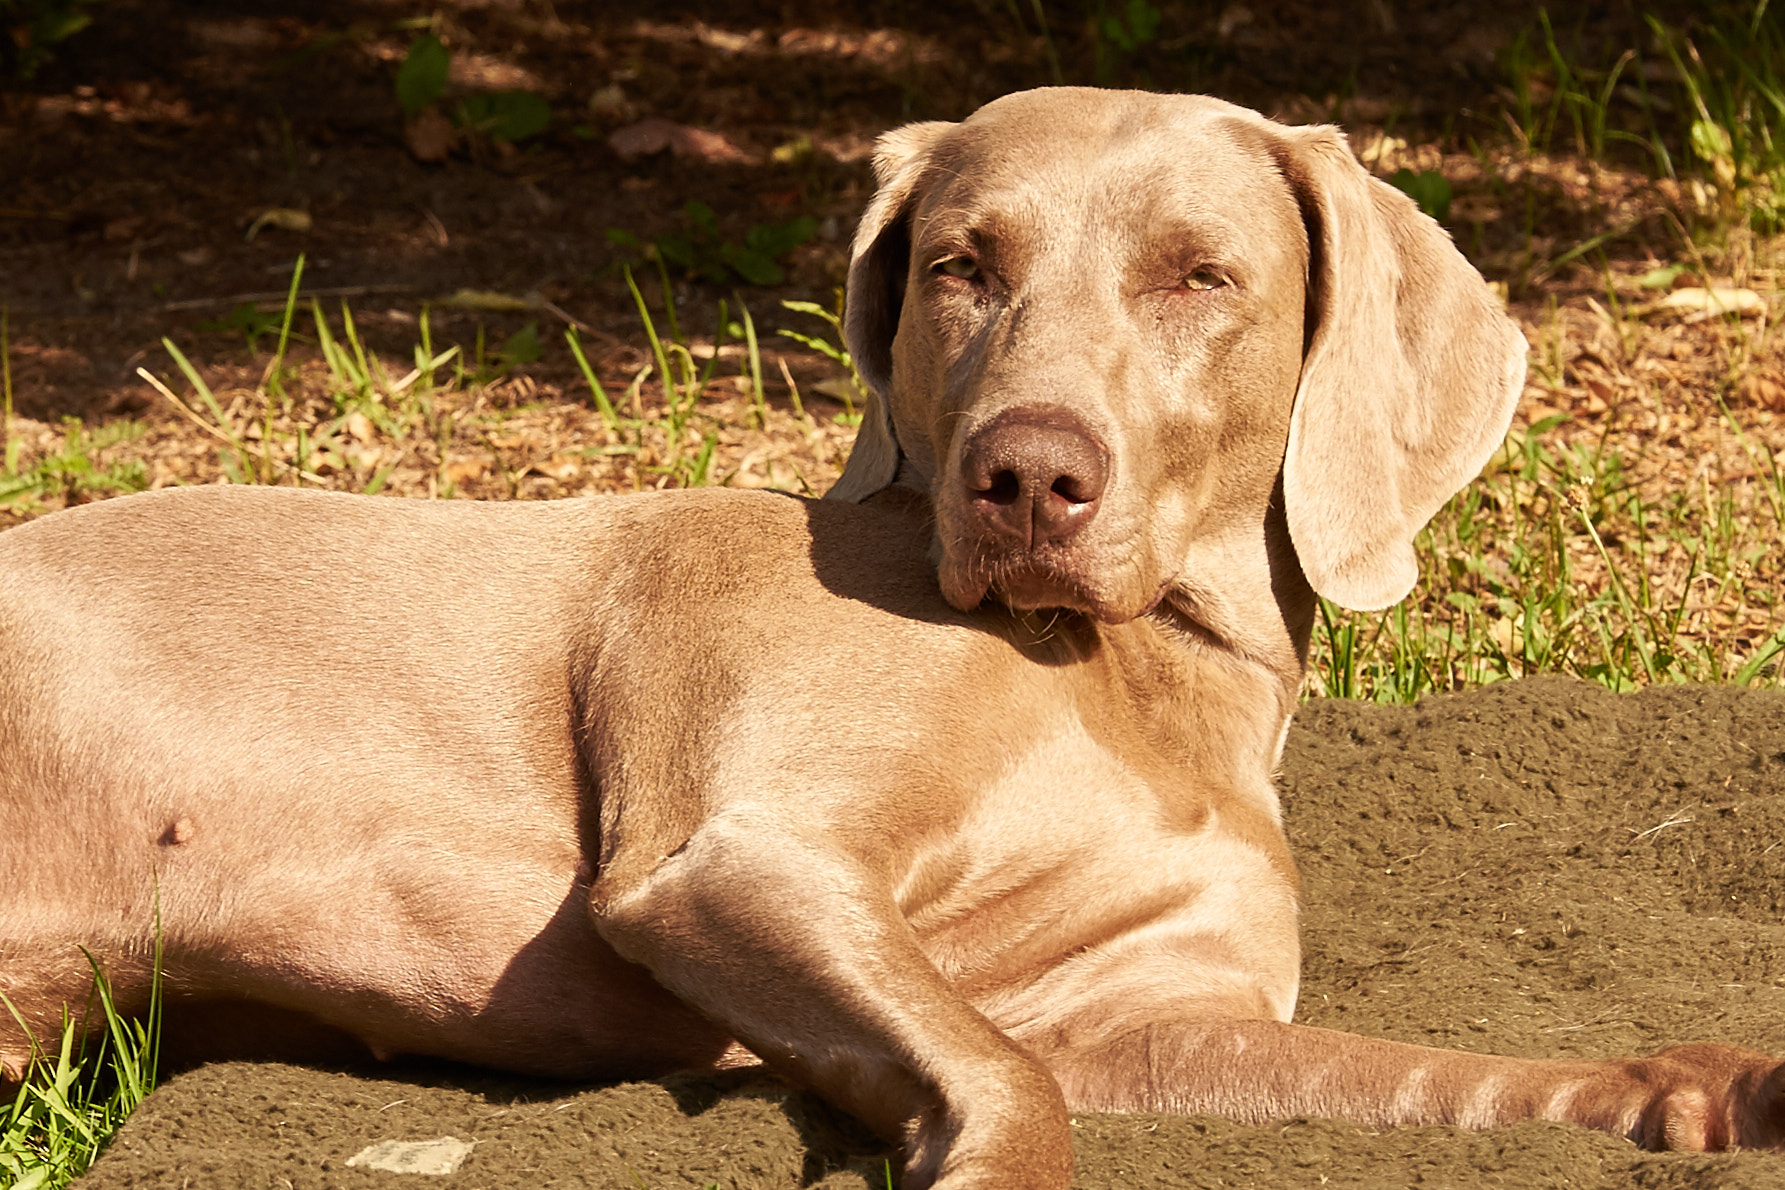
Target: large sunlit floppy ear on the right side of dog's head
(1409,377)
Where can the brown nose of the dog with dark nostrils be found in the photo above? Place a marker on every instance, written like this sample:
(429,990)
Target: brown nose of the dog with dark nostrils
(1034,475)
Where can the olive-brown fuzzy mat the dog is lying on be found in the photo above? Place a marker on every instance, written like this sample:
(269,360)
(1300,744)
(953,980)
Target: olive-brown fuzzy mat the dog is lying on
(1538,868)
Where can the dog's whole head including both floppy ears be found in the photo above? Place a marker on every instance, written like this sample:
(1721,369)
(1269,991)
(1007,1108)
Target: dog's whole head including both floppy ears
(1108,331)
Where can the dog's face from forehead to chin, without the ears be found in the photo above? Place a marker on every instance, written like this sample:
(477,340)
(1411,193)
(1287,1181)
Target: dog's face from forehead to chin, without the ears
(1095,367)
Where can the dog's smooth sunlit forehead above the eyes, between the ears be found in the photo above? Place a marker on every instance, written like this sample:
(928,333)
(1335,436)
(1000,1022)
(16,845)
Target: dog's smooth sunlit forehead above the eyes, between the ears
(1049,172)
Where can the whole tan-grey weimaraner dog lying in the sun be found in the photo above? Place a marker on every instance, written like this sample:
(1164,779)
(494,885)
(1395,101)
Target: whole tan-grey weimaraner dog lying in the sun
(951,797)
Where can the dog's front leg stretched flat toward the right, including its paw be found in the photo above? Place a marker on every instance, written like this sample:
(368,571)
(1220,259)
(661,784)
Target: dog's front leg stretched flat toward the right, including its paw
(1695,1098)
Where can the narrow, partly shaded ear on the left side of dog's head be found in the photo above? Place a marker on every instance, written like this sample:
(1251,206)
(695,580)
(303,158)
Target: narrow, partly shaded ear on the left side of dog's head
(879,265)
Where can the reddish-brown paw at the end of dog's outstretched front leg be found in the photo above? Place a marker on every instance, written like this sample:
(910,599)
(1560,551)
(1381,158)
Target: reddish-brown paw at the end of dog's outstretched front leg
(1707,1098)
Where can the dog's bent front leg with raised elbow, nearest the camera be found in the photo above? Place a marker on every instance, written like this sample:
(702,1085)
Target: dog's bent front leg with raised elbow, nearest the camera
(801,952)
